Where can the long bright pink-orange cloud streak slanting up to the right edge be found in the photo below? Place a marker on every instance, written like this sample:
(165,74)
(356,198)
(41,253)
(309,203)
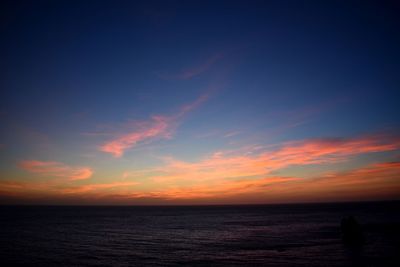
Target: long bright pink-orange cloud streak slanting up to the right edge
(221,166)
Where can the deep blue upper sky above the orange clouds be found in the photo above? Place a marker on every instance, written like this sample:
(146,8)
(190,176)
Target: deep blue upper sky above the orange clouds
(76,74)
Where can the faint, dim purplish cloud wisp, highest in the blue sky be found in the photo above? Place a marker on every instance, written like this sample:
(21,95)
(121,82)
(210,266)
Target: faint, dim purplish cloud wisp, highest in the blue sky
(189,73)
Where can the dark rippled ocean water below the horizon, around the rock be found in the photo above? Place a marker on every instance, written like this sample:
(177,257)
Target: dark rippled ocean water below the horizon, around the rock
(264,235)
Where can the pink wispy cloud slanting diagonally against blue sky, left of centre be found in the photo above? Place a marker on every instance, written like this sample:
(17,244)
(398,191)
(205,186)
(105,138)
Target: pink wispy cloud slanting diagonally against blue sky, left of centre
(157,127)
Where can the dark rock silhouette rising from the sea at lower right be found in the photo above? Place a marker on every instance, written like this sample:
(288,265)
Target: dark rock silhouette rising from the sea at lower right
(352,233)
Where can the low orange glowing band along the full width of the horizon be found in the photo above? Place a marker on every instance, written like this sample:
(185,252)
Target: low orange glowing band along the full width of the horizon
(377,181)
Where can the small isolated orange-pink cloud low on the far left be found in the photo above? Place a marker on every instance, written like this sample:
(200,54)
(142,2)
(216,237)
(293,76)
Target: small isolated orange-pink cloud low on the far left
(57,169)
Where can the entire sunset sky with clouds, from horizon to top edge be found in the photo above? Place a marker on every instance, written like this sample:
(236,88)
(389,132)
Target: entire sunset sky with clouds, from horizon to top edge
(199,102)
